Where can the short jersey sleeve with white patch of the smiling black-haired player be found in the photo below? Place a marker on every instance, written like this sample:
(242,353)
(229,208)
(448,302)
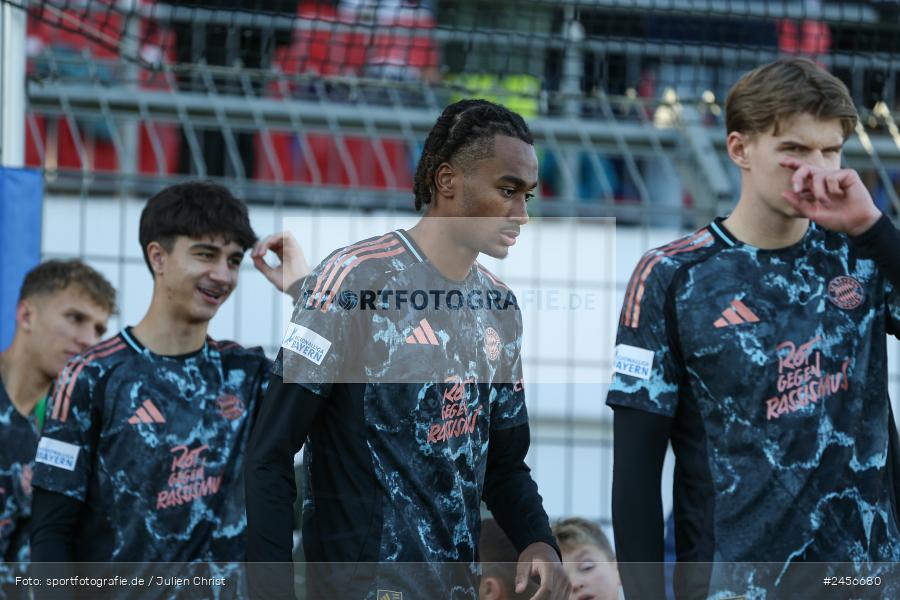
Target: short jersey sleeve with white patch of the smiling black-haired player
(68,441)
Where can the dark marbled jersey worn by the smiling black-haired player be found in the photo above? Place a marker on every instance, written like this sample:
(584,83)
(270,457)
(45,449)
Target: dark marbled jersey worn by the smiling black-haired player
(154,446)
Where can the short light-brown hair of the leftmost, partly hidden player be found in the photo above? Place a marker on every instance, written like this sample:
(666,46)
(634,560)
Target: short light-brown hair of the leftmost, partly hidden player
(54,276)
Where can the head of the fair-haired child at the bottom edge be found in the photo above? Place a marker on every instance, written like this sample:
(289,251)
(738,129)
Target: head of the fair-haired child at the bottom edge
(588,559)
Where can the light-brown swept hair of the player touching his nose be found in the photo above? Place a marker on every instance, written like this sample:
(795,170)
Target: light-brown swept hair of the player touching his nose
(767,96)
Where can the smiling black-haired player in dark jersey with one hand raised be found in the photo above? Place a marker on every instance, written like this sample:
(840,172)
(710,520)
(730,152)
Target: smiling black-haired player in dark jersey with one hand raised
(141,455)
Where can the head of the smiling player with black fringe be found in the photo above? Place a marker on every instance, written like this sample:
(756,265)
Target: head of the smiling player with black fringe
(194,236)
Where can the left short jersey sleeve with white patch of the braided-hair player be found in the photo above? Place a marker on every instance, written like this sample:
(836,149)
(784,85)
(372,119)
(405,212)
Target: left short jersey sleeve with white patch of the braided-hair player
(319,337)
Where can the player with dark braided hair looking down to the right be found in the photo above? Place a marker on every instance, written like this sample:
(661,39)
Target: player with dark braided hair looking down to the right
(407,398)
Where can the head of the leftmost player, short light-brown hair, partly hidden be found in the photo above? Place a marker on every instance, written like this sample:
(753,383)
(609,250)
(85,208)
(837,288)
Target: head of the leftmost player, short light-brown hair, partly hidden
(63,309)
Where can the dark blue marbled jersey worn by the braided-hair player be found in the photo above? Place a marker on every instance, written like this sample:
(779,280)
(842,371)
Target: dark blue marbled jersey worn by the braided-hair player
(416,371)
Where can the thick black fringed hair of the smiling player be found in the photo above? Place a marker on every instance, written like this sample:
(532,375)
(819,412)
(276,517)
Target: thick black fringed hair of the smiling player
(194,209)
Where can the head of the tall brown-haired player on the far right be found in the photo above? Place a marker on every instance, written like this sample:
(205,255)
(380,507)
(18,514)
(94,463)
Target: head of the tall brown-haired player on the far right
(787,108)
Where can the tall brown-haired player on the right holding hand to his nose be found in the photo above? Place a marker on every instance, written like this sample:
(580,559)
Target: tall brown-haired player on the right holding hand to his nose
(757,346)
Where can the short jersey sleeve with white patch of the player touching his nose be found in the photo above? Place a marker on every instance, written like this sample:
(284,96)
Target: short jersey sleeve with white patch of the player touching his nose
(646,370)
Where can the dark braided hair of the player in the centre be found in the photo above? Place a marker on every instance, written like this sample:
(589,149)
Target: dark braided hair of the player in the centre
(464,133)
